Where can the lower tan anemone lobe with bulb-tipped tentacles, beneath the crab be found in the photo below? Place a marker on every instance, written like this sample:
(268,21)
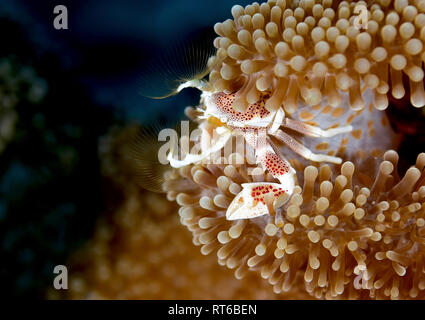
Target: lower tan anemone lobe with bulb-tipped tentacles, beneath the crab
(358,235)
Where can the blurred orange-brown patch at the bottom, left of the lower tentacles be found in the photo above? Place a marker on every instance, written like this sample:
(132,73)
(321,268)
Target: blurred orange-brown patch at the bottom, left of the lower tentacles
(143,252)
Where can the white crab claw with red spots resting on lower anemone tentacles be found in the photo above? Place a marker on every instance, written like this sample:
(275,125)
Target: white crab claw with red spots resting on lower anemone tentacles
(257,199)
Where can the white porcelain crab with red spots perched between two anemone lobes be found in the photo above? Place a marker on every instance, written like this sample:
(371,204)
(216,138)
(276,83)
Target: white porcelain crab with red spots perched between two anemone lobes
(256,124)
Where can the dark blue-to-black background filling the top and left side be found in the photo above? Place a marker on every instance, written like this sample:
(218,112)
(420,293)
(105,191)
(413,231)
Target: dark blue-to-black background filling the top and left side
(51,187)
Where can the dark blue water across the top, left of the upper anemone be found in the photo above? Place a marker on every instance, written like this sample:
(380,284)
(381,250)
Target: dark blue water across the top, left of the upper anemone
(109,42)
